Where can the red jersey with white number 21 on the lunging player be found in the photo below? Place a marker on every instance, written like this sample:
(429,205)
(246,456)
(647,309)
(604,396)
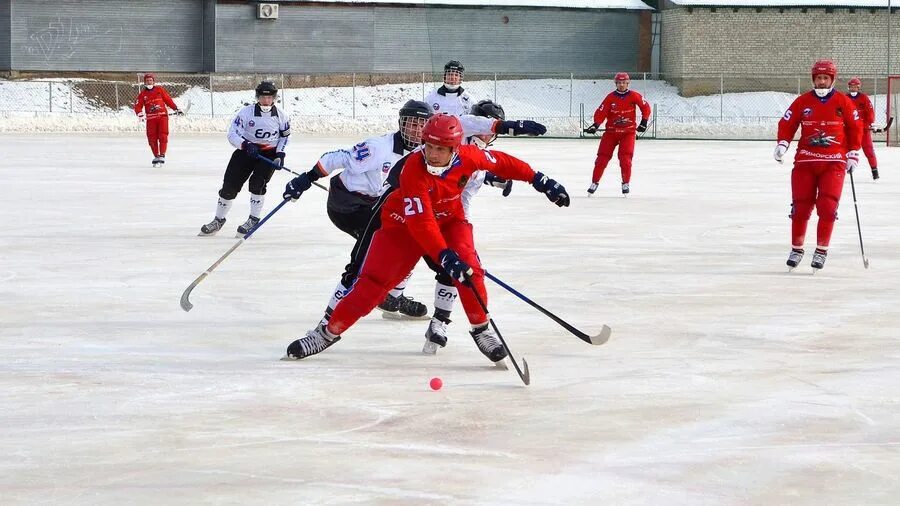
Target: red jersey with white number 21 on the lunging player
(424,201)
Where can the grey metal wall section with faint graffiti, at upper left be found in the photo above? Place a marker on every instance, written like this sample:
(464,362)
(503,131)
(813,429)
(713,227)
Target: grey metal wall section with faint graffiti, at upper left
(107,35)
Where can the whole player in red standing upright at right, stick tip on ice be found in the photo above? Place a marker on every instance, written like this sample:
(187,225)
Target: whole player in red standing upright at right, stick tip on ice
(830,135)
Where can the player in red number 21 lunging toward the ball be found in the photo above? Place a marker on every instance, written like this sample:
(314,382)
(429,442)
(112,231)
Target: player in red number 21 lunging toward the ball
(425,216)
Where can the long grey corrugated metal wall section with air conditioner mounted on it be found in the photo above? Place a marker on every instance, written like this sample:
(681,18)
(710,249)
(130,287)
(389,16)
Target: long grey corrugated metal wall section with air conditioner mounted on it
(315,39)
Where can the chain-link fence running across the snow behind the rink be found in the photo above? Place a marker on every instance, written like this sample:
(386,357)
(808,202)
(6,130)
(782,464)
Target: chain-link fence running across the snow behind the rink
(701,106)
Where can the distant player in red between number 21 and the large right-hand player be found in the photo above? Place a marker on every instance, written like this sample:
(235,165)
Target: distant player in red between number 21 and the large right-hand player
(618,110)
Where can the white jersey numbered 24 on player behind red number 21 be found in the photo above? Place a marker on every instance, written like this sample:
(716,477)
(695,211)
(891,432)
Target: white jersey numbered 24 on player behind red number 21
(367,164)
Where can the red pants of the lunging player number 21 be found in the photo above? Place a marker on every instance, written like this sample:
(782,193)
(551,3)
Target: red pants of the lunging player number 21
(391,256)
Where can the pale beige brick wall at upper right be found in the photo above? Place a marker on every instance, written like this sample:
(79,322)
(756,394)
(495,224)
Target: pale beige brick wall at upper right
(743,41)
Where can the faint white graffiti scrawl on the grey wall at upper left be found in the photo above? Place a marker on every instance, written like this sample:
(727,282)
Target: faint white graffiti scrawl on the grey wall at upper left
(63,38)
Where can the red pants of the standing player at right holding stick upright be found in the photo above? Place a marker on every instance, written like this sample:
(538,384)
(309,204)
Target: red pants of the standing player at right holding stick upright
(819,185)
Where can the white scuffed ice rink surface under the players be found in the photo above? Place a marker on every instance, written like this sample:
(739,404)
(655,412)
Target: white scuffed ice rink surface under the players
(726,381)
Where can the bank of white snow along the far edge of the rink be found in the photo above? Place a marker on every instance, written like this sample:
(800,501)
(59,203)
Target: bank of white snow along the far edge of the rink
(62,106)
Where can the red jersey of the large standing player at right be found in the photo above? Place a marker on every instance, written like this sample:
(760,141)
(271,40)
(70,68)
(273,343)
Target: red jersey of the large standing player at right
(829,127)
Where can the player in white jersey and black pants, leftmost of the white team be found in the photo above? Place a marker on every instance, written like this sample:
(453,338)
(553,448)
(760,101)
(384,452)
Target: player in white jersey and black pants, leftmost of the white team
(257,130)
